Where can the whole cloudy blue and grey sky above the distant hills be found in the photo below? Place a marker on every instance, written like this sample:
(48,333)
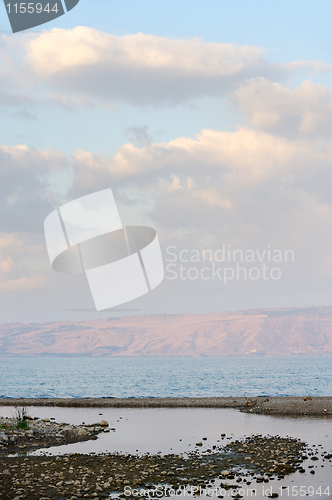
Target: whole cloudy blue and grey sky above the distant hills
(210,121)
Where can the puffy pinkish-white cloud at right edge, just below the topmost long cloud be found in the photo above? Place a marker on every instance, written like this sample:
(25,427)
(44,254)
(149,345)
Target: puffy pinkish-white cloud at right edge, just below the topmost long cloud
(270,106)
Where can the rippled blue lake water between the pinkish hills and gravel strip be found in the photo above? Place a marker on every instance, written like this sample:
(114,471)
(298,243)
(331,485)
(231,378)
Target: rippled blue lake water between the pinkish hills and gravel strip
(164,377)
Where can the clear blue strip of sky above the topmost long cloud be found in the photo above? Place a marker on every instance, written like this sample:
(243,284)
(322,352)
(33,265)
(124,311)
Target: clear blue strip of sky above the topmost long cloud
(292,29)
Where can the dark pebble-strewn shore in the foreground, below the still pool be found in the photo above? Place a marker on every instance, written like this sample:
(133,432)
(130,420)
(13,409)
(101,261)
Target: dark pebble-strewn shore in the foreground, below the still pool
(235,465)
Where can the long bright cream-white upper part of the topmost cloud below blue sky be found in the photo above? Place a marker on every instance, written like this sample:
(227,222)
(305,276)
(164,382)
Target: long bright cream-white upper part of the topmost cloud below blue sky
(58,51)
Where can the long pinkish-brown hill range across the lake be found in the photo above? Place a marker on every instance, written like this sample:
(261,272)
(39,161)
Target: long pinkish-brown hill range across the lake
(306,330)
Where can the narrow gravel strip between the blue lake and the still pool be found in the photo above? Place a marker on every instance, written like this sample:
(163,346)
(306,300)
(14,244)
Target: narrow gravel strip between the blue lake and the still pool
(316,406)
